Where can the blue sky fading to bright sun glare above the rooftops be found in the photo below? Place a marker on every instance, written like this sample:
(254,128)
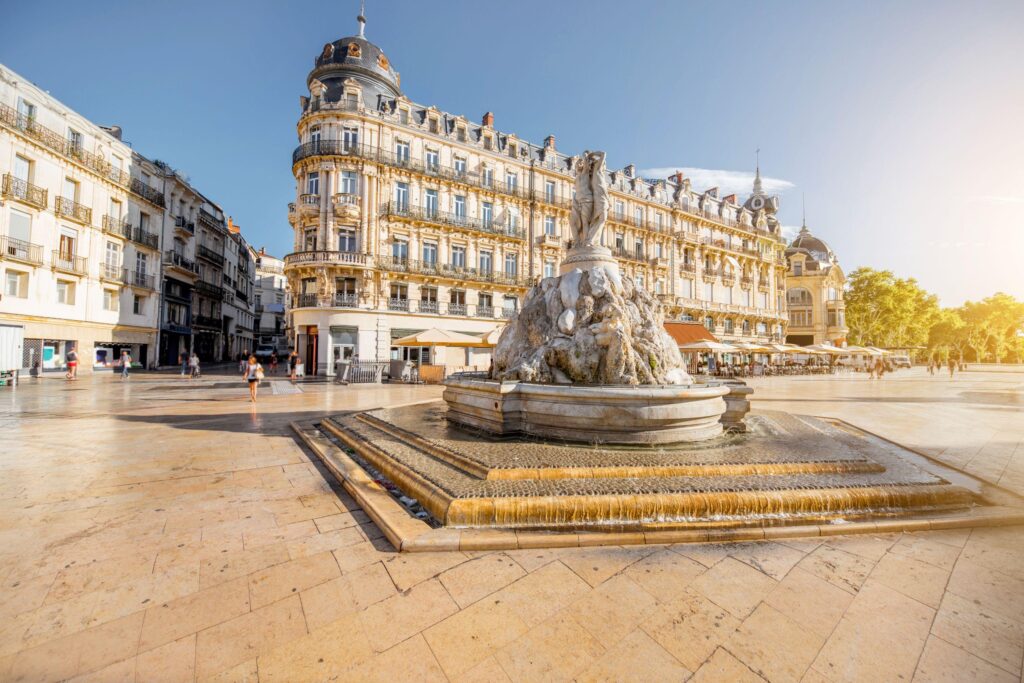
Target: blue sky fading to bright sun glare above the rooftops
(900,122)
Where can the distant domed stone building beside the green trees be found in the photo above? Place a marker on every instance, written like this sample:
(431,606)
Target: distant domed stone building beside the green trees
(815,293)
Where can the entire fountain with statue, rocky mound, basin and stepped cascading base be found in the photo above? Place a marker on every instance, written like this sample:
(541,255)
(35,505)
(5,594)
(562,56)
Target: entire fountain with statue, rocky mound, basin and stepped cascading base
(589,432)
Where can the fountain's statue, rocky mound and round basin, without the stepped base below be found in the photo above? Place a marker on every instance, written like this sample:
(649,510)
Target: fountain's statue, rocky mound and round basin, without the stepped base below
(587,359)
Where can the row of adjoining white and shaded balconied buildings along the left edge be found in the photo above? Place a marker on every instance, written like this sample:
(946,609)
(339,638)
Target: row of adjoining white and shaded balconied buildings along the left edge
(103,249)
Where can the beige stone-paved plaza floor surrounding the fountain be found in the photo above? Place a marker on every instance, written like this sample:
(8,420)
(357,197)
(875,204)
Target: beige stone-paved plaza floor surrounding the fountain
(163,529)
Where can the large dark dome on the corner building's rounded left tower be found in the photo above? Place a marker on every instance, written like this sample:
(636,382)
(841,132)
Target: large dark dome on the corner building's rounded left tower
(356,58)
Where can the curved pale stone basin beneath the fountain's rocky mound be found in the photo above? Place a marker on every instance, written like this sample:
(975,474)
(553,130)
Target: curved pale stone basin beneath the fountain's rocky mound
(606,414)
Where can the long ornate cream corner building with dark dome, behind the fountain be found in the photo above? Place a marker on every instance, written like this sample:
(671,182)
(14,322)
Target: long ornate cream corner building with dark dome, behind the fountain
(408,219)
